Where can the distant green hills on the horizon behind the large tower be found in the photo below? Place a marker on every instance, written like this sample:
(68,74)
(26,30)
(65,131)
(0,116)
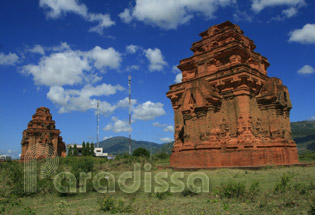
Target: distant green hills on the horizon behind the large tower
(303,134)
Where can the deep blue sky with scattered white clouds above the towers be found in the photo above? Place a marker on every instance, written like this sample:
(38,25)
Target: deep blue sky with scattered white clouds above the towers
(68,54)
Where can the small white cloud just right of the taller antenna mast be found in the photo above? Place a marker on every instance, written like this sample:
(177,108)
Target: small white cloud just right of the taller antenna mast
(148,110)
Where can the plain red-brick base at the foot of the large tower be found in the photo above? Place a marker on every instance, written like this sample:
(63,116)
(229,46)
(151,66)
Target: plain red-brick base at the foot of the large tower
(209,158)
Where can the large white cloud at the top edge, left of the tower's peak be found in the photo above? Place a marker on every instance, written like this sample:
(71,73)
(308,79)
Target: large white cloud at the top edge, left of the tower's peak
(171,13)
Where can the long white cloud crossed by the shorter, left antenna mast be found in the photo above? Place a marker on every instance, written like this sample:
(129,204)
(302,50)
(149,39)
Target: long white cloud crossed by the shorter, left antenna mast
(80,100)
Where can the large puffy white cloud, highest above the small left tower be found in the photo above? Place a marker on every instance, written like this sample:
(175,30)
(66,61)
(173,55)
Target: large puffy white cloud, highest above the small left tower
(70,67)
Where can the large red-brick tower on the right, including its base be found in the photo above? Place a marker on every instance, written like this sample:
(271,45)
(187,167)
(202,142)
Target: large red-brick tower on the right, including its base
(228,112)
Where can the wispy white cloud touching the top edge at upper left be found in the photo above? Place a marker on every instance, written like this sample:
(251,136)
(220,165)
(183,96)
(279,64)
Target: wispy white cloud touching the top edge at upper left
(58,8)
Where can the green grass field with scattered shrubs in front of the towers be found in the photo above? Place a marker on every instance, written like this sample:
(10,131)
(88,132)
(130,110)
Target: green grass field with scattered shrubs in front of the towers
(270,190)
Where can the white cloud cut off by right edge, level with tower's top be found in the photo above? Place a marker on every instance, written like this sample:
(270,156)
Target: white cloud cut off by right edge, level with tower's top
(304,35)
